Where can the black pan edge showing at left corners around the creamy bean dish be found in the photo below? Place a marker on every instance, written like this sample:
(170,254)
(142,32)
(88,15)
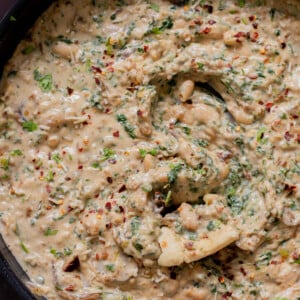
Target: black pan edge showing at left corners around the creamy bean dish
(13,27)
